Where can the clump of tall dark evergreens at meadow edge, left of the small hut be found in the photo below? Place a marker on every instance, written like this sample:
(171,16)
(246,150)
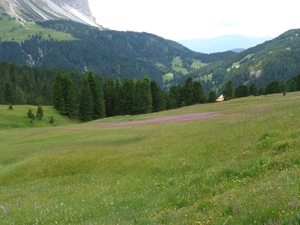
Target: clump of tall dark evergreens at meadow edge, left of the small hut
(98,98)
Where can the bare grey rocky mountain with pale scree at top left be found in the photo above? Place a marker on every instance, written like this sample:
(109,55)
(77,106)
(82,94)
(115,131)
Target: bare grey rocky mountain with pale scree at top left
(42,10)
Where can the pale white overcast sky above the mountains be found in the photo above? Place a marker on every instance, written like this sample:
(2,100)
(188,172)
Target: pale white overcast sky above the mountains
(187,19)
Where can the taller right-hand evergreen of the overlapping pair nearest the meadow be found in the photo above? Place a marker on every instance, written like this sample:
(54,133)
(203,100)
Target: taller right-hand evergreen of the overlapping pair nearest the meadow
(97,96)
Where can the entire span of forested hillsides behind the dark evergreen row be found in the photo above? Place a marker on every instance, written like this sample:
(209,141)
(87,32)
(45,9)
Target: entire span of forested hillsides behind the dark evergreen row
(134,55)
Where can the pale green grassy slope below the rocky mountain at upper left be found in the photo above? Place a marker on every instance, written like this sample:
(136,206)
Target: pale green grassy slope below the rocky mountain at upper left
(13,30)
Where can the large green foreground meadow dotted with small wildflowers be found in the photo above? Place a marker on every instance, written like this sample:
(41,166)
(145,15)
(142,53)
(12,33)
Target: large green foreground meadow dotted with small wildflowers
(239,168)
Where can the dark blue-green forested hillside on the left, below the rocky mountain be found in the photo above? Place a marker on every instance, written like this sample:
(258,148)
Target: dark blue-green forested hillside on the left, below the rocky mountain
(106,53)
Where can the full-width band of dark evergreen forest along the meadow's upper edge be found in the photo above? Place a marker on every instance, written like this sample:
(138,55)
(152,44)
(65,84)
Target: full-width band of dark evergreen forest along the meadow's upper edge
(88,97)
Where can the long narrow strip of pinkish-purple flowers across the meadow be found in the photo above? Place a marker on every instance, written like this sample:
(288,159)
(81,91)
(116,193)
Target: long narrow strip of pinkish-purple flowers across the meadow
(187,117)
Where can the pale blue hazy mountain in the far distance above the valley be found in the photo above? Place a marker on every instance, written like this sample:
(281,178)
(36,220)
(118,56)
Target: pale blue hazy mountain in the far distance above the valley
(222,43)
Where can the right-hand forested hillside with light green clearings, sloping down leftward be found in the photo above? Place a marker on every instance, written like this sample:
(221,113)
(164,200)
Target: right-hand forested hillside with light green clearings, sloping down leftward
(277,59)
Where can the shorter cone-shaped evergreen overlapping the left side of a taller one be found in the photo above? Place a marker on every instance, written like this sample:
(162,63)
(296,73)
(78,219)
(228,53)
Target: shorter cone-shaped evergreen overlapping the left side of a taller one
(86,105)
